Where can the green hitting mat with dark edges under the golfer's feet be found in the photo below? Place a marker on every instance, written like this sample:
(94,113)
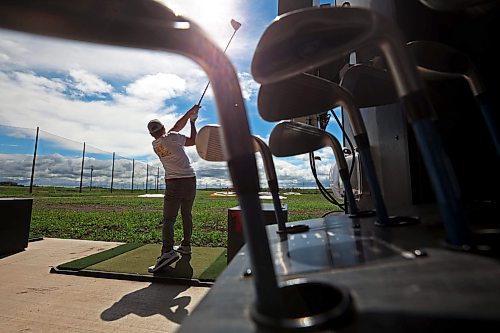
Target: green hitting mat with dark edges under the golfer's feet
(131,262)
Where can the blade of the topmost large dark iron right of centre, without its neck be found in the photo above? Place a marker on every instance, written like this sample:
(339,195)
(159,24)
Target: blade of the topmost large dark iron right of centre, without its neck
(305,39)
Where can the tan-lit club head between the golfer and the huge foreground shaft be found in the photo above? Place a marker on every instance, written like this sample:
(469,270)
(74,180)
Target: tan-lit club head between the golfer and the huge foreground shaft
(210,144)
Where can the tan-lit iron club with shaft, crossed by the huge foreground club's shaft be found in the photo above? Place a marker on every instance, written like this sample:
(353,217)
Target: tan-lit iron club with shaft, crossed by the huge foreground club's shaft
(210,147)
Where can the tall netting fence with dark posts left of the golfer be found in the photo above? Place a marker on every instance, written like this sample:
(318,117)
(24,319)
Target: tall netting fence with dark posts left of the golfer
(36,158)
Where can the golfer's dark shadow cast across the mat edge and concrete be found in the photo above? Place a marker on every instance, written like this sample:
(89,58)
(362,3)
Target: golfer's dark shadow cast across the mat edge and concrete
(157,298)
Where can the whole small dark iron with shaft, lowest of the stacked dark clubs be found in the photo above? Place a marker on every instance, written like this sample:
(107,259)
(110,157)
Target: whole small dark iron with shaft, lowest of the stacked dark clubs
(290,138)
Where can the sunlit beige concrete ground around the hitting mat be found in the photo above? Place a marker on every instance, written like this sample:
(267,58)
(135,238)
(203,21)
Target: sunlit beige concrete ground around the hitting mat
(34,300)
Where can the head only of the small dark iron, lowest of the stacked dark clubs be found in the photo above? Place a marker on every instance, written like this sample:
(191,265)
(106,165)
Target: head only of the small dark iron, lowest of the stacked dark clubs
(291,138)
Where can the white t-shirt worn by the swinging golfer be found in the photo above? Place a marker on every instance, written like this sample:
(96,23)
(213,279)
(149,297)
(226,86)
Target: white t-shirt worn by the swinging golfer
(170,150)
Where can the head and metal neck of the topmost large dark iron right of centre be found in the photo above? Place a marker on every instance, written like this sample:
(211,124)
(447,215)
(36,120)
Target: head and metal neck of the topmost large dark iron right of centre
(305,39)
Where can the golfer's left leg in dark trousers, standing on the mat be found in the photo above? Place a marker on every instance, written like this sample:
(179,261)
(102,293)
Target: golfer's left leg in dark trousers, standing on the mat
(171,204)
